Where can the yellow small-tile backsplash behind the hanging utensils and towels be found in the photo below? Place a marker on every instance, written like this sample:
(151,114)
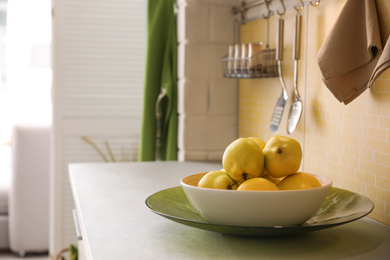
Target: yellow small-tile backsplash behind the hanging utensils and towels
(349,143)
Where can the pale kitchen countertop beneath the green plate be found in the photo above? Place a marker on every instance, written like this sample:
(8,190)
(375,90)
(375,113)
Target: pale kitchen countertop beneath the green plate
(116,224)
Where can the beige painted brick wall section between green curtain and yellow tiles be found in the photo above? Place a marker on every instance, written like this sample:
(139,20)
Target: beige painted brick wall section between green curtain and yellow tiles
(208,103)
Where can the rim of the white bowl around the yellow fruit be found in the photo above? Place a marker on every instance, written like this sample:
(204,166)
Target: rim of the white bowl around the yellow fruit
(327,181)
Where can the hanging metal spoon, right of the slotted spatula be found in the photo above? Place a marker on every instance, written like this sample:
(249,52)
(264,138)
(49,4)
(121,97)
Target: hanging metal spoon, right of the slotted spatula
(296,107)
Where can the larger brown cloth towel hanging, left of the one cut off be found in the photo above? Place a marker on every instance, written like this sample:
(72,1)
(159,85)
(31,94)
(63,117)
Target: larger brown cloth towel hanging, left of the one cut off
(351,50)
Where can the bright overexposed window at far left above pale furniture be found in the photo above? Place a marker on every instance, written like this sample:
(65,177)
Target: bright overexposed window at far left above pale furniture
(25,73)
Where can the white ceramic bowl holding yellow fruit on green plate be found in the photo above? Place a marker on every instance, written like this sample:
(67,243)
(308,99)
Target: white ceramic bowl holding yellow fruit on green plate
(255,208)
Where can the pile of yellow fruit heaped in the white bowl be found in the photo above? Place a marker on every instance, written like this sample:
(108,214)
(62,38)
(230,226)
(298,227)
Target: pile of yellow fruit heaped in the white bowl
(253,164)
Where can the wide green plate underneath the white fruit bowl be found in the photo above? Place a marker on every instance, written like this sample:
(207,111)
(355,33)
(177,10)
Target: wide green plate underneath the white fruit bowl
(340,207)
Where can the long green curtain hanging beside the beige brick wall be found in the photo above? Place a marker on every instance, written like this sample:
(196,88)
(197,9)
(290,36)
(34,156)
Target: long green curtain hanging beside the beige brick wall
(161,71)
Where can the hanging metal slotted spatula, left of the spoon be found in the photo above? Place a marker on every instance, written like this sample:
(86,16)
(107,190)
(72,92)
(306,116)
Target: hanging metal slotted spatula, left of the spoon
(281,102)
